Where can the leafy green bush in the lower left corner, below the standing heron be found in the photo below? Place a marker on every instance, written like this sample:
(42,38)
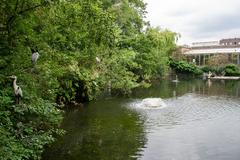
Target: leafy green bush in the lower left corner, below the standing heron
(26,128)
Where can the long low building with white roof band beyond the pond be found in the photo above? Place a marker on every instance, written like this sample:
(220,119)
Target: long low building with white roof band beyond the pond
(200,52)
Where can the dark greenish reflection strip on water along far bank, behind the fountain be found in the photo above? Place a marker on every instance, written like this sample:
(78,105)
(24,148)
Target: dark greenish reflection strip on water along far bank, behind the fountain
(167,89)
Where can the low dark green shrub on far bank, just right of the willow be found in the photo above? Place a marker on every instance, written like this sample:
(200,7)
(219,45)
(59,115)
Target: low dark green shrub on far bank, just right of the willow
(185,67)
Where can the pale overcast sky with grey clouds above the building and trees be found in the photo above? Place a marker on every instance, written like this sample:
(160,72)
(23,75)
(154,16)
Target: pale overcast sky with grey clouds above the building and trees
(196,20)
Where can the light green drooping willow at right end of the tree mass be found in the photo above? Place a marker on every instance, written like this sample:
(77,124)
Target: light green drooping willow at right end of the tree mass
(153,50)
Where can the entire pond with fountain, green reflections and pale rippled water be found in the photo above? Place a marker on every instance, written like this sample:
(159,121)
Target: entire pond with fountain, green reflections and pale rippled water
(195,119)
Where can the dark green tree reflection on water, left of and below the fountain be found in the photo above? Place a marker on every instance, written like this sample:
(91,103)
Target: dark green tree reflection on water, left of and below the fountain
(100,130)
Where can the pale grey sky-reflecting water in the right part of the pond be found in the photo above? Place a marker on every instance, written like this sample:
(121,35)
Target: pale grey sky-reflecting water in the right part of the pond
(193,127)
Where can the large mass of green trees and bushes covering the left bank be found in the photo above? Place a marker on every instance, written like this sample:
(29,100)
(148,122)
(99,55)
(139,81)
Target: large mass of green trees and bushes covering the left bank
(70,36)
